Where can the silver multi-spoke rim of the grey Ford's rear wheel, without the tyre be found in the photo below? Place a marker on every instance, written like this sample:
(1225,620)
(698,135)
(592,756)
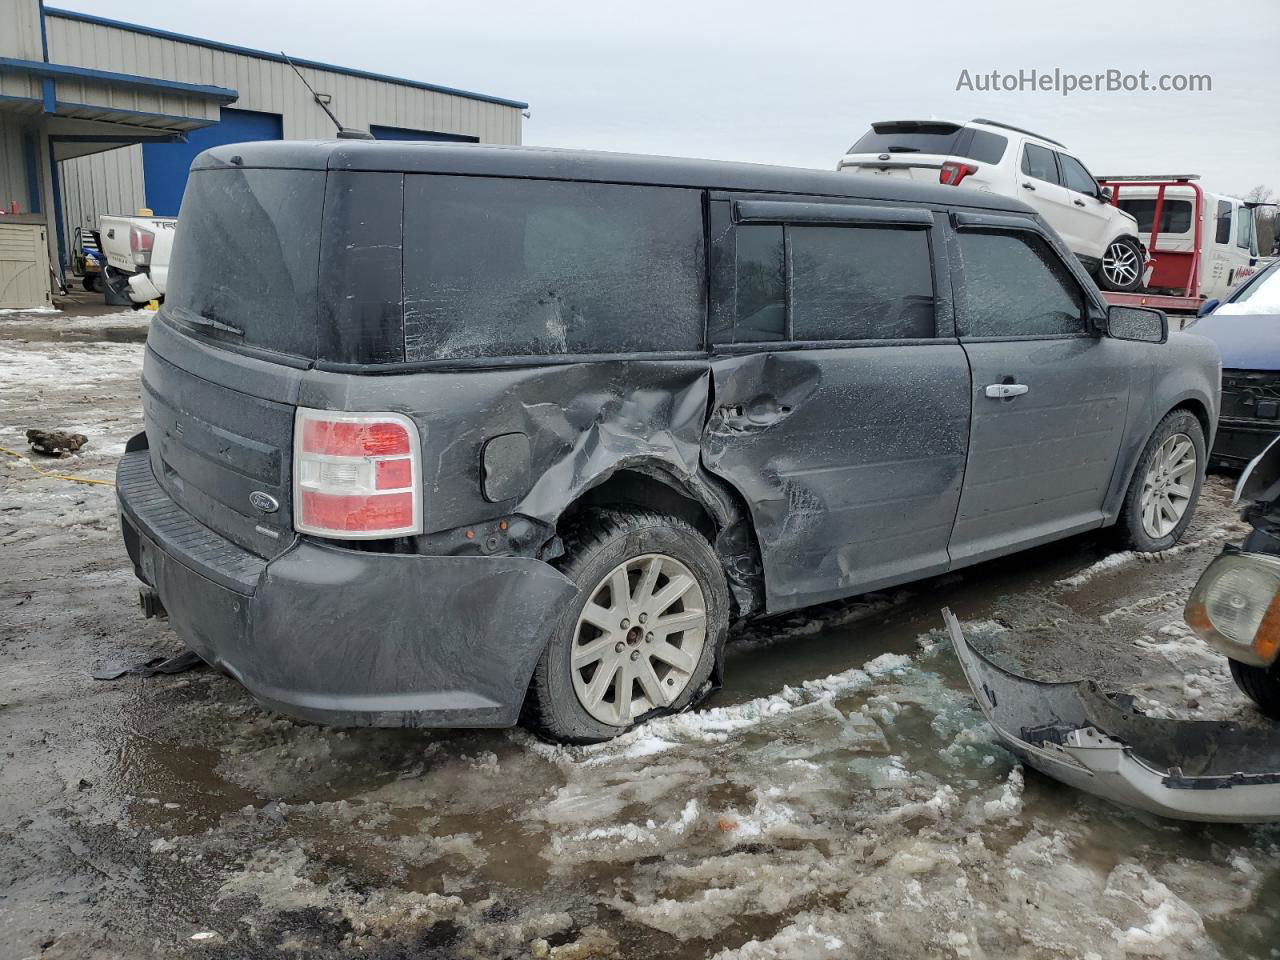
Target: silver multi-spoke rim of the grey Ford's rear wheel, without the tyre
(639,639)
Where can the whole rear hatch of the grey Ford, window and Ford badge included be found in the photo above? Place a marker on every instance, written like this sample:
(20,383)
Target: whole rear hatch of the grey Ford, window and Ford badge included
(230,346)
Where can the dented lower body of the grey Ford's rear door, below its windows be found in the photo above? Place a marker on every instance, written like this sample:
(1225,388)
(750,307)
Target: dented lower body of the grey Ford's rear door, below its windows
(852,461)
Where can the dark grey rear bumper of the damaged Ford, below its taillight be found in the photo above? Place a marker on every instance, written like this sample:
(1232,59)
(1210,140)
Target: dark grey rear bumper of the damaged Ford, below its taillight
(346,637)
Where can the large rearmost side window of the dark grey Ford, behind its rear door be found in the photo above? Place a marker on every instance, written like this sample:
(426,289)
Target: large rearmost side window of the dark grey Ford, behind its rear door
(508,268)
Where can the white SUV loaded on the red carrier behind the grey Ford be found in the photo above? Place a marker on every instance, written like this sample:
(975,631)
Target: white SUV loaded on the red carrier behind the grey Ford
(1017,163)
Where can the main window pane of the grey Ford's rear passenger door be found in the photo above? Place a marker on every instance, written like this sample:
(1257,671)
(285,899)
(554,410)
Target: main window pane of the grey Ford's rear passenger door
(854,284)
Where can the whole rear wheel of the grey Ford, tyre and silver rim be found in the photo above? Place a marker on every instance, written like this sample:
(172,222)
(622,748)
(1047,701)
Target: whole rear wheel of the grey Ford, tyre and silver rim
(641,636)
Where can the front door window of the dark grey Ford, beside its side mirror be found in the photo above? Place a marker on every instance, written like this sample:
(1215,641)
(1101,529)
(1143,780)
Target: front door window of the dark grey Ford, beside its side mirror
(1016,286)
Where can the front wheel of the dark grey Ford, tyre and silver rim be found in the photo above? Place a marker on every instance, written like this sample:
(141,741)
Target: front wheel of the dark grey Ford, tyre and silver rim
(1165,486)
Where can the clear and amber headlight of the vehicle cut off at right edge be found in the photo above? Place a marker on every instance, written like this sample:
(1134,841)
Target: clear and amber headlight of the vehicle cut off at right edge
(1236,607)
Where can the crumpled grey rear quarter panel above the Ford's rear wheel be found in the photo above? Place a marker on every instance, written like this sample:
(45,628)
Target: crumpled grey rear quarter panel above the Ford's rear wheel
(584,422)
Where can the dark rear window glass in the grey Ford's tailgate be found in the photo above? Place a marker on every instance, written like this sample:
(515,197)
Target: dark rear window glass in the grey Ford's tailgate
(245,258)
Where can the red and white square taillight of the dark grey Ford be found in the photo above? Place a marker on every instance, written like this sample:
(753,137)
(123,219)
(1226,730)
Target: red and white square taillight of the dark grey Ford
(356,477)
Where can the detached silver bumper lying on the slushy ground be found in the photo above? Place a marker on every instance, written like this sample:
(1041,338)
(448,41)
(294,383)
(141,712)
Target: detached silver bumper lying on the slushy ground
(1185,770)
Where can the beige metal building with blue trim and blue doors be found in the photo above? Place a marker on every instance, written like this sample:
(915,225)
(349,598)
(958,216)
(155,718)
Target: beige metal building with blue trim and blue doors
(102,117)
